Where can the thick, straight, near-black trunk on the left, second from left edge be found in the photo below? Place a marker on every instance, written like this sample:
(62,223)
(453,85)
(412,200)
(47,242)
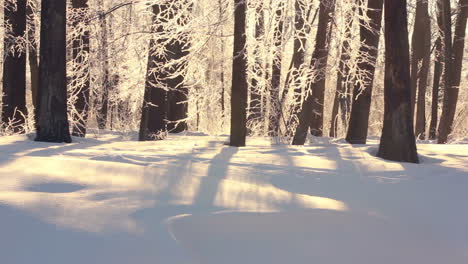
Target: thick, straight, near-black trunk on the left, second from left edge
(52,117)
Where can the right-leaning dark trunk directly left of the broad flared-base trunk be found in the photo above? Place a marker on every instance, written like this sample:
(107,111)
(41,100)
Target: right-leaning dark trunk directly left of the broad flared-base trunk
(362,91)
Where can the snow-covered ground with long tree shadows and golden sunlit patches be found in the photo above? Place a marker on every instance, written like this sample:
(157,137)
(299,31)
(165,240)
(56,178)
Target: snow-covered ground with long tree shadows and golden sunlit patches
(191,199)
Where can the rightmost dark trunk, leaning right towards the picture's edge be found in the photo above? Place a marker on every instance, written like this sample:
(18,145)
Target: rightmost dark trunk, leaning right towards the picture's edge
(455,60)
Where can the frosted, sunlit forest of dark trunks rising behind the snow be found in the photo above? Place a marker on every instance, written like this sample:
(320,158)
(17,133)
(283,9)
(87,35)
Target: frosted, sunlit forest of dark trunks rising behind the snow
(345,67)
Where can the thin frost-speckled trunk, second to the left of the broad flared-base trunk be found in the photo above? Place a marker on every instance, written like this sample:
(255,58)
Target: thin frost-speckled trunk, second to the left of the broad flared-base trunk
(342,98)
